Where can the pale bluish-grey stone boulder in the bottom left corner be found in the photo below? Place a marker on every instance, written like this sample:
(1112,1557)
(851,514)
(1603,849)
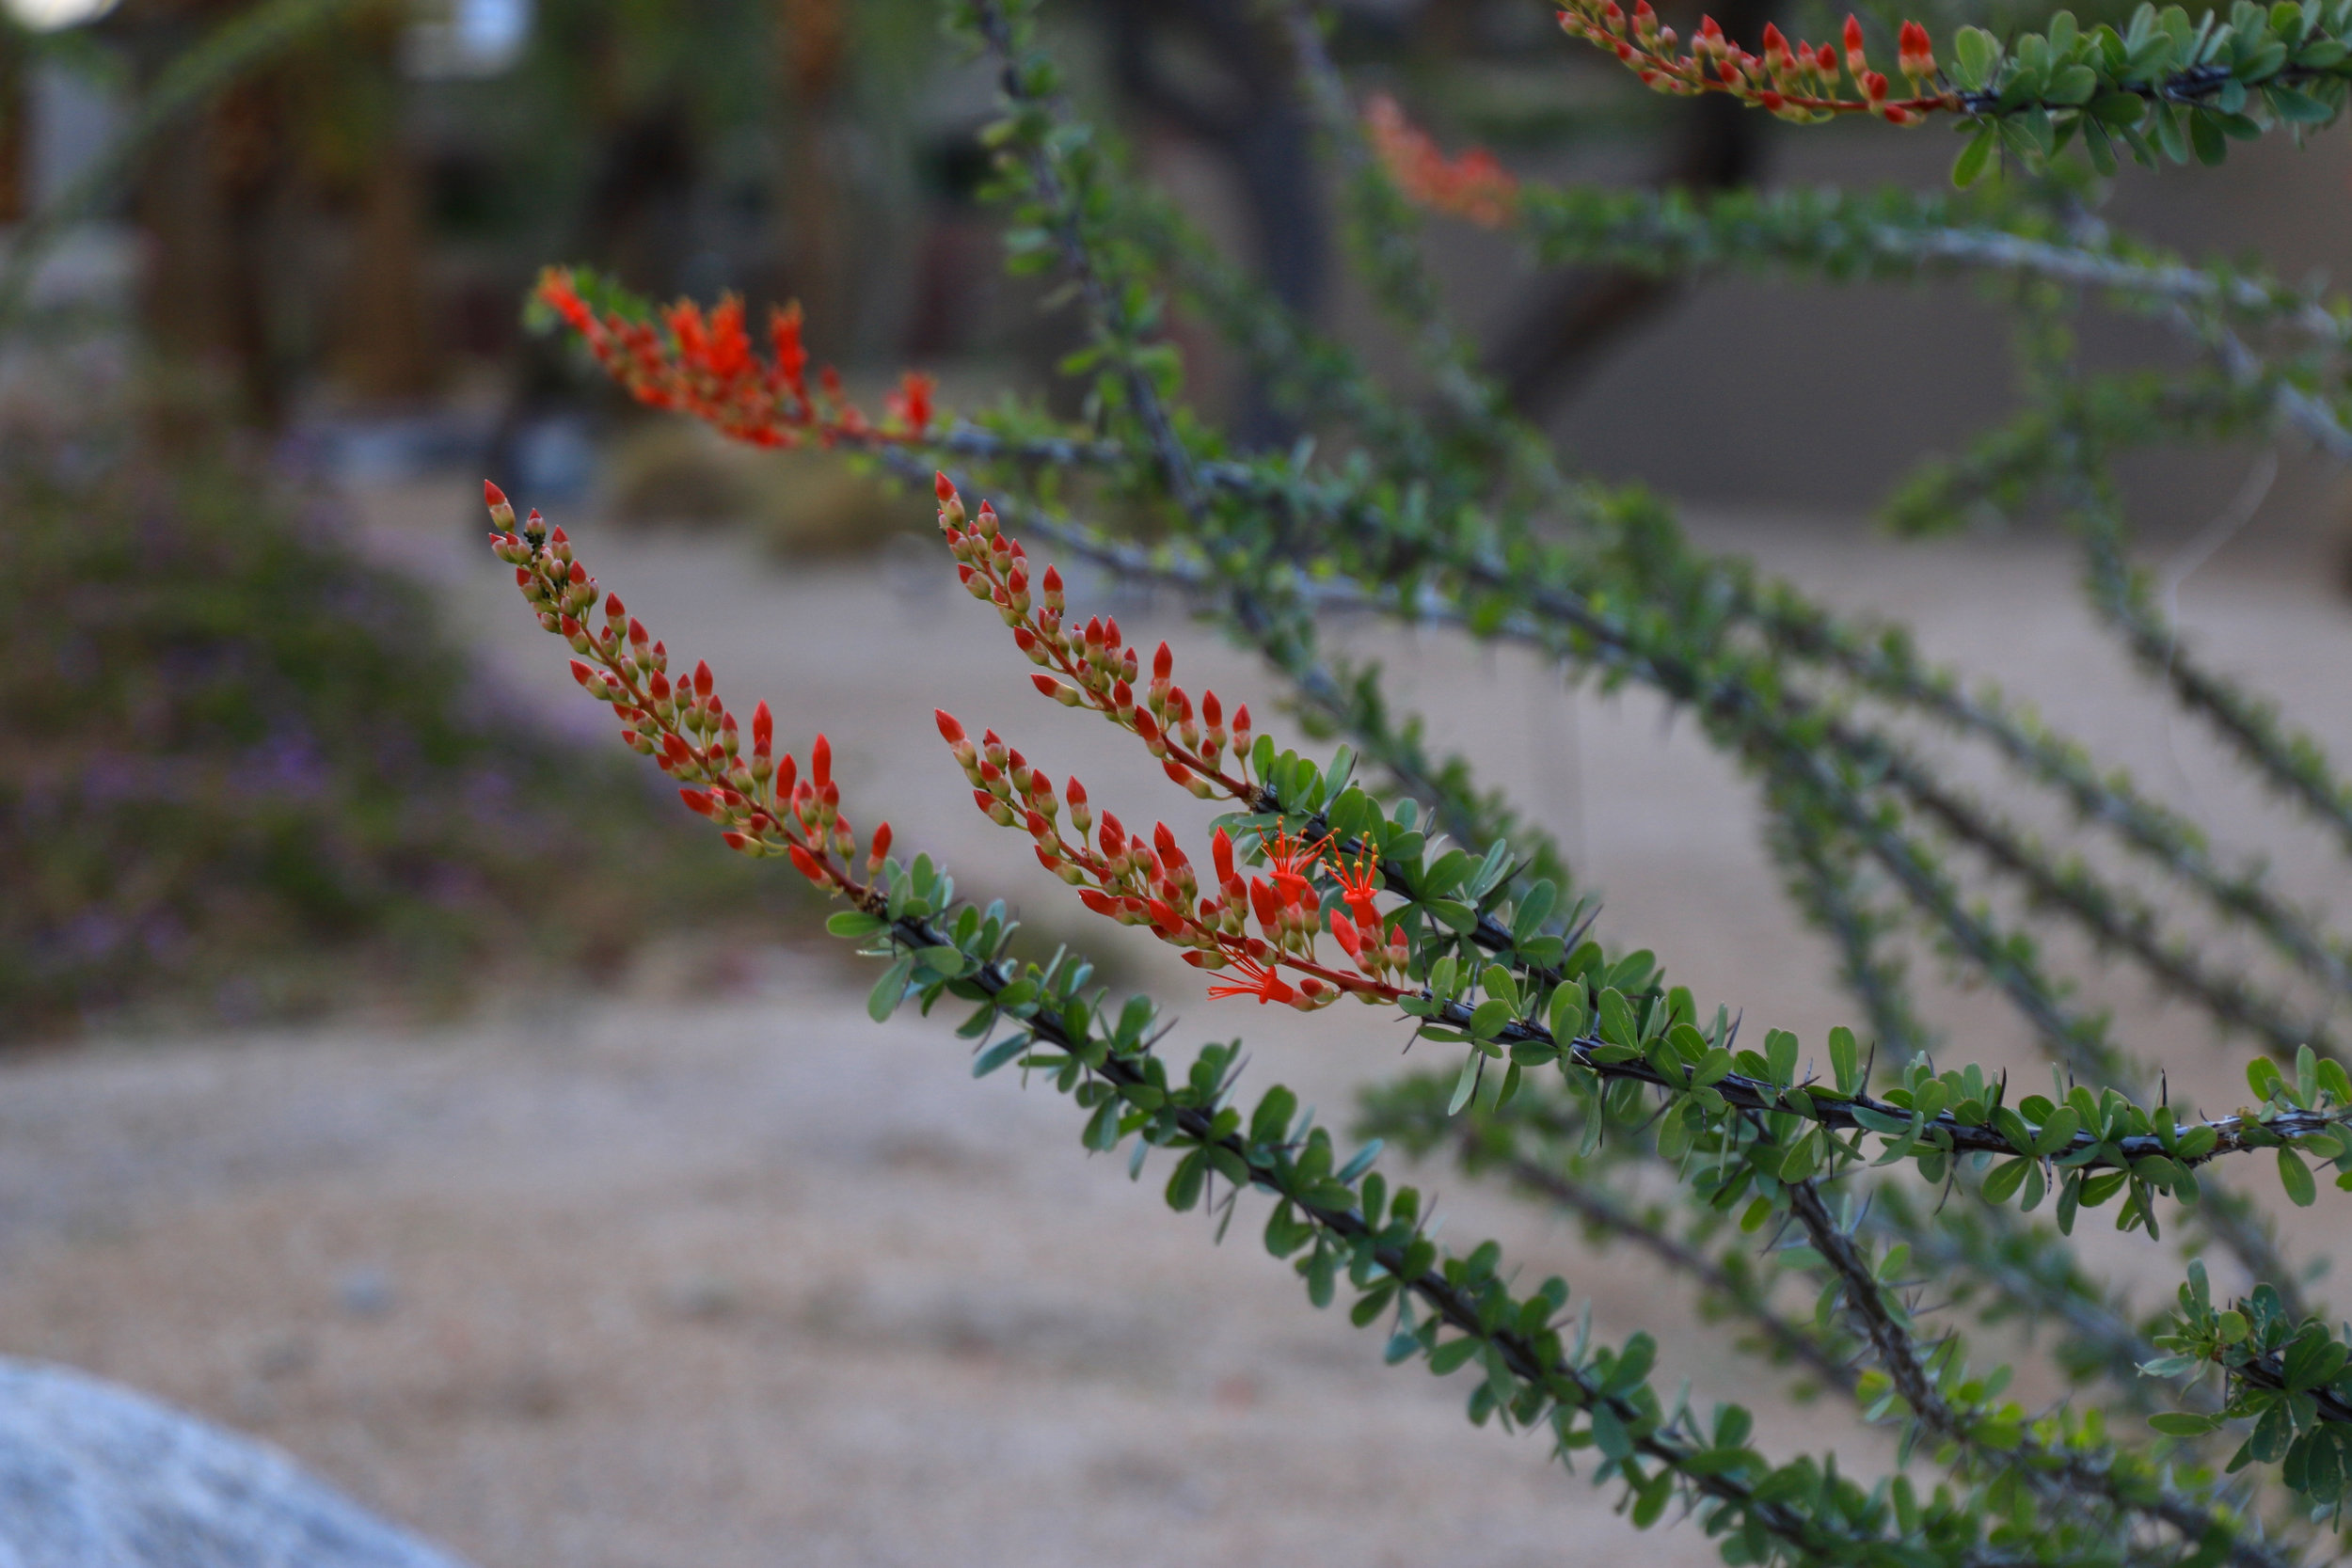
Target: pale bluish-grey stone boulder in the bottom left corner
(100,1477)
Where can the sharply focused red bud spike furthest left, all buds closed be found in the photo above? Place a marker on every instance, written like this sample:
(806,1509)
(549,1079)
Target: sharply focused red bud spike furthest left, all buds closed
(763,803)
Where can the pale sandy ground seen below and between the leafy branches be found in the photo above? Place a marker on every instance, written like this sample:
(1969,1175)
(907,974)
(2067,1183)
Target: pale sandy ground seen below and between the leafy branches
(646,1278)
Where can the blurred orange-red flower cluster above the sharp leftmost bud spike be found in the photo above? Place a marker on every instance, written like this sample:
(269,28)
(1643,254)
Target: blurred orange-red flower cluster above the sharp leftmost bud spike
(704,366)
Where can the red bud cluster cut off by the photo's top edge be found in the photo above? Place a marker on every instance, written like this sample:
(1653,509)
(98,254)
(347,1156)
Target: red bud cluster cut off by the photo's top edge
(1793,81)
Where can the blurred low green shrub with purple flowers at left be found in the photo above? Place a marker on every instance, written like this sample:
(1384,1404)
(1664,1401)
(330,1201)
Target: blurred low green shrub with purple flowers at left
(241,770)
